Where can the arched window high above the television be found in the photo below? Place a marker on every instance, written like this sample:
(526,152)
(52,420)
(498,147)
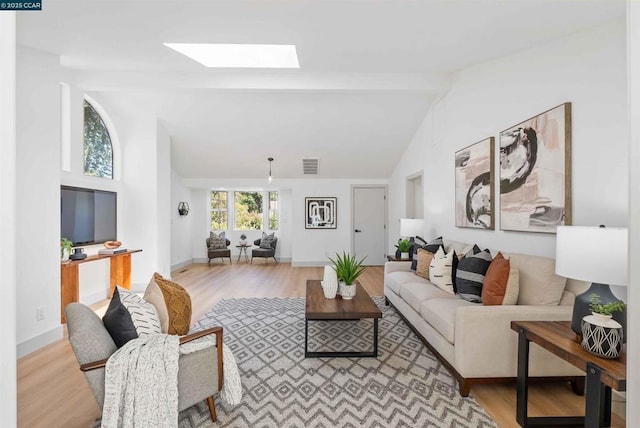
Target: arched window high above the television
(98,150)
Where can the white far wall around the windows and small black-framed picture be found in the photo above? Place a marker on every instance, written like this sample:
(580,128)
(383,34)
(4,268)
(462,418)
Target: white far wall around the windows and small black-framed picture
(303,247)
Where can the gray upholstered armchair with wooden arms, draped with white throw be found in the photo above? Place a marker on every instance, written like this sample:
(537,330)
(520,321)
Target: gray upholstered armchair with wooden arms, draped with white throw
(199,373)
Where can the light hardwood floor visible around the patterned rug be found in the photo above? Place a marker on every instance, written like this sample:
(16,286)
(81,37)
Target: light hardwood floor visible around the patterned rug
(52,391)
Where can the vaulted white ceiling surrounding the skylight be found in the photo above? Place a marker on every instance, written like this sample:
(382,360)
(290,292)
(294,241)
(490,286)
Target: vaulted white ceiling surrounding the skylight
(369,71)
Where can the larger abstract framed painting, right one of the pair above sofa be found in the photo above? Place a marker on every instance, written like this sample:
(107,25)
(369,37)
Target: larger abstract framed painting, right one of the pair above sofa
(535,172)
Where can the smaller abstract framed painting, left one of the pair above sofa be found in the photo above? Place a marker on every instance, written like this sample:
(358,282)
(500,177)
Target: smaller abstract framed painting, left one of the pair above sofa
(474,185)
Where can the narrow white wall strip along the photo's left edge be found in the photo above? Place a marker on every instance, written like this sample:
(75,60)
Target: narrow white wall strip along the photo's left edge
(8,223)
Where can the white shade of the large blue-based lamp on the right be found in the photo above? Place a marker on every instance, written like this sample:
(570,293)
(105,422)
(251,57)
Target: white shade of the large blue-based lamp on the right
(594,254)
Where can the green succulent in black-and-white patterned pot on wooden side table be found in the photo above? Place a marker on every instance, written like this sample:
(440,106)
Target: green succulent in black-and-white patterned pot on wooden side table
(602,335)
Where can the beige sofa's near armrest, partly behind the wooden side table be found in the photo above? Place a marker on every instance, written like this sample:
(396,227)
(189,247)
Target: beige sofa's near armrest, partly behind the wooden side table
(485,345)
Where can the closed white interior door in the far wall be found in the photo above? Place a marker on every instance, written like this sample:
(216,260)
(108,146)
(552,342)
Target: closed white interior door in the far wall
(369,224)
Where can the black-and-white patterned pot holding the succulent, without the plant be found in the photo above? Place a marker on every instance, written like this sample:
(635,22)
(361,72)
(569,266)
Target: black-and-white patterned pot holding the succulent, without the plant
(602,335)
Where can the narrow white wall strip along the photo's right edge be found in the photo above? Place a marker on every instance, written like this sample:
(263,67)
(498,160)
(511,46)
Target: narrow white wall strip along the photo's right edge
(633,314)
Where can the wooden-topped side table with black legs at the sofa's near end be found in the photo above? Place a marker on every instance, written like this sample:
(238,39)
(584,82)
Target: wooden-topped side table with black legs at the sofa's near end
(602,374)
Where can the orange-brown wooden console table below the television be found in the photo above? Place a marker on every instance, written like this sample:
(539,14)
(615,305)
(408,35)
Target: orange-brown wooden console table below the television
(70,277)
